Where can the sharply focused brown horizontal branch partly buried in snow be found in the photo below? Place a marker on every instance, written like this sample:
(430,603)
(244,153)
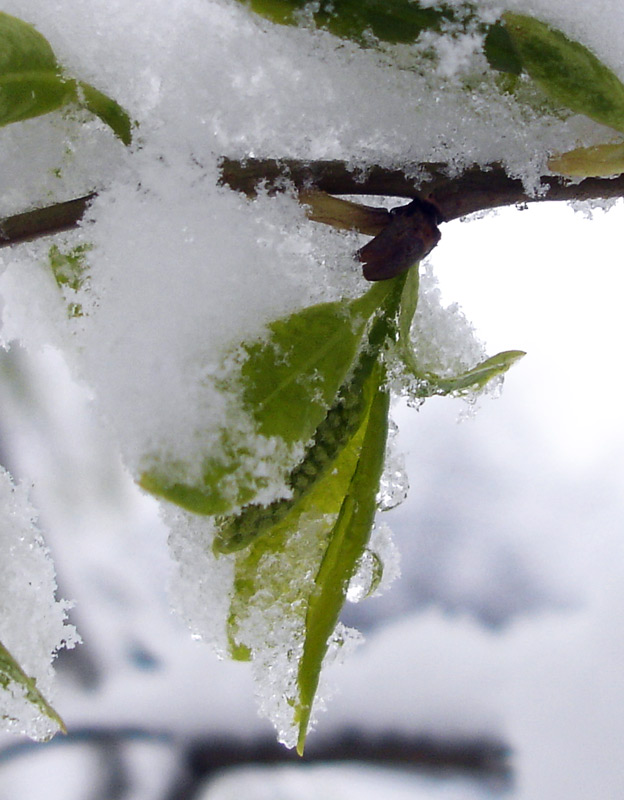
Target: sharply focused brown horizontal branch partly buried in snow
(476,189)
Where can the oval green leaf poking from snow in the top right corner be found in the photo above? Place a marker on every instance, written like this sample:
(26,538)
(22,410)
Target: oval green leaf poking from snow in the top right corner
(567,71)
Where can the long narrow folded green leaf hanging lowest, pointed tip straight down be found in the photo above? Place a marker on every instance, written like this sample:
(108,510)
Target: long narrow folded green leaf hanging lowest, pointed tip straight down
(347,542)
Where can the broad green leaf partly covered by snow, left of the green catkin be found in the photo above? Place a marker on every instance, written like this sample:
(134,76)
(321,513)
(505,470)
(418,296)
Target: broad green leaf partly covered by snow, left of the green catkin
(287,381)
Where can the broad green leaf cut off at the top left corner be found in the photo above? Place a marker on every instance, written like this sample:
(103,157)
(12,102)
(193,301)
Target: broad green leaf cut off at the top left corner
(31,83)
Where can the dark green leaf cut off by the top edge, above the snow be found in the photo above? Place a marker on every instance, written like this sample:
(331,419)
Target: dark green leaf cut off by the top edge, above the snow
(363,21)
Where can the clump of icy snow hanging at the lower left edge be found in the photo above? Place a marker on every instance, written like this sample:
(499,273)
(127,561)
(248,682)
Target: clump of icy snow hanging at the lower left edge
(32,621)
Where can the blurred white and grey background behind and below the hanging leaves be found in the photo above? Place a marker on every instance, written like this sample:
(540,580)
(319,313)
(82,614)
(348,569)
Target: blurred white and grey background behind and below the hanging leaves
(491,668)
